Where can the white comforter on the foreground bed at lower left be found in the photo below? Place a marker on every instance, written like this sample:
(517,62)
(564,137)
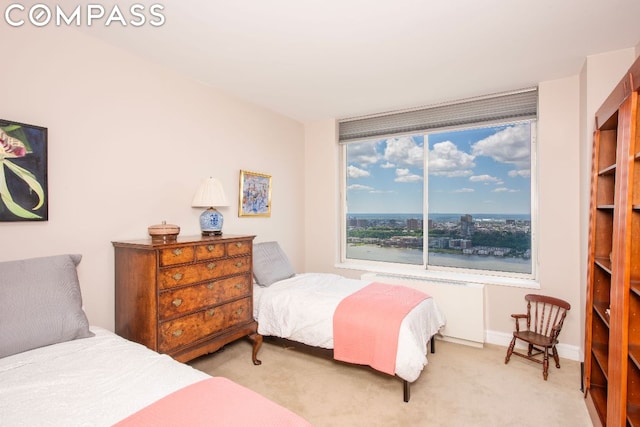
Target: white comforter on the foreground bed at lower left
(93,381)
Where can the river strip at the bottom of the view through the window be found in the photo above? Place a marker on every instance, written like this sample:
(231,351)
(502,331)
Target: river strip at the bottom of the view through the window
(414,257)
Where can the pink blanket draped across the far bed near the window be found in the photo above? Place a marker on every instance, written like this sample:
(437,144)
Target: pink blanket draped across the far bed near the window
(366,324)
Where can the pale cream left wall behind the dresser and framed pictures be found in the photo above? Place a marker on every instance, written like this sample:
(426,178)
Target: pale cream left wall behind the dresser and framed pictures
(128,144)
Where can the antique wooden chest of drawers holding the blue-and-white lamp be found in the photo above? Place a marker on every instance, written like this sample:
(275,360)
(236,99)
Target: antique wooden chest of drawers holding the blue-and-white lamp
(188,297)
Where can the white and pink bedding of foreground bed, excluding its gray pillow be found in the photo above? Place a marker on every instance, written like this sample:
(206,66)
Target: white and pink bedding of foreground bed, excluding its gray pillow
(105,380)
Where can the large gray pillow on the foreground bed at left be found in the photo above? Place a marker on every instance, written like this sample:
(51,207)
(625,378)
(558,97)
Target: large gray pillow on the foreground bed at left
(41,303)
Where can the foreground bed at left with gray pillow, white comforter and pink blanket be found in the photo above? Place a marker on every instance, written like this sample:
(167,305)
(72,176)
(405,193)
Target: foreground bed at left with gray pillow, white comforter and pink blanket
(57,370)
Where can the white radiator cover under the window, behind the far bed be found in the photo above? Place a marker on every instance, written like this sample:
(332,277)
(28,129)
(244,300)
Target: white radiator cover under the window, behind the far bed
(462,304)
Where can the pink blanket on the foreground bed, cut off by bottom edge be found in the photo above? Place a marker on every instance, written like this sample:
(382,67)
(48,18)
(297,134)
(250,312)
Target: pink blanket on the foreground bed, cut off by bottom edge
(214,401)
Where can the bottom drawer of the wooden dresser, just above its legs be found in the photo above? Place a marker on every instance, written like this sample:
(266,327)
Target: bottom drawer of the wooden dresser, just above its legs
(188,329)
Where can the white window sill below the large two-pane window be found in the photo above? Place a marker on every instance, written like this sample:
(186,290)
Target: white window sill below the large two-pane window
(412,273)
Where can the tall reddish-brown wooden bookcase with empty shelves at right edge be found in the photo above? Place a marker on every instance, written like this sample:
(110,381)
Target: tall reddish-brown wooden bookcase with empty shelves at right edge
(612,330)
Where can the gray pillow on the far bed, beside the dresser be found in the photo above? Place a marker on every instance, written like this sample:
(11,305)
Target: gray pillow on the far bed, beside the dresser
(270,263)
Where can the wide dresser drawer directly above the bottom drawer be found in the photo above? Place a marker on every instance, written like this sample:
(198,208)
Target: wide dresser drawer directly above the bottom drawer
(193,298)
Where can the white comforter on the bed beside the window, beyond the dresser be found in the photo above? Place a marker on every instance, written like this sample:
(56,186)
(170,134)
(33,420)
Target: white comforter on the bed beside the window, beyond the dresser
(301,309)
